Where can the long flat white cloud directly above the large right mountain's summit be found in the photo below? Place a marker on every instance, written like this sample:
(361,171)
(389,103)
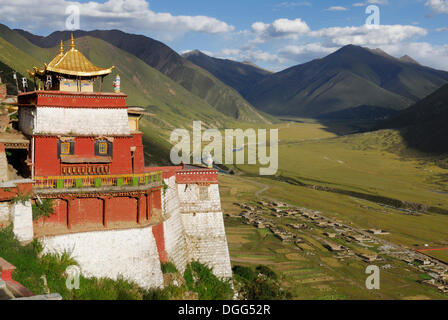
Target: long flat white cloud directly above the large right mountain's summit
(366,35)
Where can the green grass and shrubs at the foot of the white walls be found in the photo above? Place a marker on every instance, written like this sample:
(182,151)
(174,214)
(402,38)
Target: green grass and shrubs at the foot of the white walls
(33,267)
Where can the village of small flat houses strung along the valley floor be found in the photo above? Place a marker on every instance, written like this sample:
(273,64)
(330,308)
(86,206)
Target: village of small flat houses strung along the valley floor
(292,224)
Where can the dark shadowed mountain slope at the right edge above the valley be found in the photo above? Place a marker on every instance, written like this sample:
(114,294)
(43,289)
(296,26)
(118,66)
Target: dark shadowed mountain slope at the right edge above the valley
(424,125)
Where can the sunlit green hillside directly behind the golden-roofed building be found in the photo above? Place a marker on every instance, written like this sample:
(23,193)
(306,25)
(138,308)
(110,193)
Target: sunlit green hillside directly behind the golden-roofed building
(174,106)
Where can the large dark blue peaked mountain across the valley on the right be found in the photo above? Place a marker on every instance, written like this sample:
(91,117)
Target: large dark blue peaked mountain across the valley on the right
(348,78)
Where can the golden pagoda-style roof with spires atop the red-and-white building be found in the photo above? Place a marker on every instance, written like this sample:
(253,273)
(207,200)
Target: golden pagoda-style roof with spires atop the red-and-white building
(73,63)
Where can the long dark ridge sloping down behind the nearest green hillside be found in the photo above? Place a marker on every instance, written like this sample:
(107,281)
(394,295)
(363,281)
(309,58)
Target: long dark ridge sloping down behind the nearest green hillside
(193,78)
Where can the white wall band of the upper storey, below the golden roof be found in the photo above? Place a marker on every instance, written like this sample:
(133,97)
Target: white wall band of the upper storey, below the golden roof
(83,121)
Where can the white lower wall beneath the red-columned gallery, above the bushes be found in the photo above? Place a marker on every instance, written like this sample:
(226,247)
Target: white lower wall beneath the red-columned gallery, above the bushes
(130,253)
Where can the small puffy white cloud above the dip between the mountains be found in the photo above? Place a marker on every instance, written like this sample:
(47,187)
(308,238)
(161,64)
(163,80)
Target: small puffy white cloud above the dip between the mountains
(280,28)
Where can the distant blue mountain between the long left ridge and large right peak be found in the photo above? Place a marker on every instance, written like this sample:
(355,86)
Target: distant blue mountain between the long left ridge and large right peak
(238,75)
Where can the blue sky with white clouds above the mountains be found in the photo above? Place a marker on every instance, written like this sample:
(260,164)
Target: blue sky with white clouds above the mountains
(273,34)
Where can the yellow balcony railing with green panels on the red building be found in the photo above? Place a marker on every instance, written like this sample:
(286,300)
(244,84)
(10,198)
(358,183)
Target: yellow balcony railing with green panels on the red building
(98,181)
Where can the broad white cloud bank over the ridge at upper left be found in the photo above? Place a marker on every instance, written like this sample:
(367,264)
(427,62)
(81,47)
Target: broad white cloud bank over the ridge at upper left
(128,15)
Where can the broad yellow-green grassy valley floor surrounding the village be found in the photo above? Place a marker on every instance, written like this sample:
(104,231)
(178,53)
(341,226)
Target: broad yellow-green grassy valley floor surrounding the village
(346,178)
